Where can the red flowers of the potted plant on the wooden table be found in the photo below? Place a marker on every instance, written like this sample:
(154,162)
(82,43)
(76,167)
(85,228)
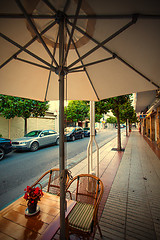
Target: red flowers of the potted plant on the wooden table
(33,194)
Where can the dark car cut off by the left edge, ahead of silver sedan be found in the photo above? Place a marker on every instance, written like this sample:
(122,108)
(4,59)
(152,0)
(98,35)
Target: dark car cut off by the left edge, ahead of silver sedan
(5,147)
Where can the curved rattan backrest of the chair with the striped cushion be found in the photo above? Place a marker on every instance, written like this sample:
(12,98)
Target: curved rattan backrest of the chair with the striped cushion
(87,188)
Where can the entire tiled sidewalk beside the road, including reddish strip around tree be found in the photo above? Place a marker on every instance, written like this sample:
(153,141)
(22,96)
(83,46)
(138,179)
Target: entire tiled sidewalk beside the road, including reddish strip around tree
(130,207)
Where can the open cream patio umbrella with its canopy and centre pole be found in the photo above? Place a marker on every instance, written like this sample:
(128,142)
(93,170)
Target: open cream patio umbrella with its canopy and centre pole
(78,50)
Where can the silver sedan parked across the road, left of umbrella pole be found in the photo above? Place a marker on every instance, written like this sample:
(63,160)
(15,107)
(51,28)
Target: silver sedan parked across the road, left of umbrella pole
(35,139)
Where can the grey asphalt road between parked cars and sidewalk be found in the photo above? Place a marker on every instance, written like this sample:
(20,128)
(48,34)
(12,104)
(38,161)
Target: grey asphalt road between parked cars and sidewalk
(19,169)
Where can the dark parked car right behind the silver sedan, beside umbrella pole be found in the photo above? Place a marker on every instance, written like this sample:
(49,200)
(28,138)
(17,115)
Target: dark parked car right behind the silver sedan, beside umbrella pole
(73,133)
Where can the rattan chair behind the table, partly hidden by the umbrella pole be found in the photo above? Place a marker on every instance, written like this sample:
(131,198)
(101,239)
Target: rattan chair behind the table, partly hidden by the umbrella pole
(50,181)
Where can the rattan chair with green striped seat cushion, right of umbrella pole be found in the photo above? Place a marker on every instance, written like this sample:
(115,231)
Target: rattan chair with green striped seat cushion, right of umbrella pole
(88,192)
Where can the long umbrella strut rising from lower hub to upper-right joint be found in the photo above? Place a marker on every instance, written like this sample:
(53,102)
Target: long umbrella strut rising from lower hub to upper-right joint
(105,41)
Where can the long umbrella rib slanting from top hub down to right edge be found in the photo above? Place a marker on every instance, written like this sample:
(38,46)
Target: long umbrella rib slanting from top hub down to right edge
(119,58)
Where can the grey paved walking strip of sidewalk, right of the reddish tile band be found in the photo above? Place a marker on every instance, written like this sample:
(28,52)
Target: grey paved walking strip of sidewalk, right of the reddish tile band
(132,210)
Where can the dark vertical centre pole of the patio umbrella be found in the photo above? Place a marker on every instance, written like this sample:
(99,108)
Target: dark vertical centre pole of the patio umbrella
(61,131)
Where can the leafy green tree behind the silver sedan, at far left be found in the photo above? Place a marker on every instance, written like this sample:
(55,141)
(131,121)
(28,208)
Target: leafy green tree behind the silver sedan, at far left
(11,107)
